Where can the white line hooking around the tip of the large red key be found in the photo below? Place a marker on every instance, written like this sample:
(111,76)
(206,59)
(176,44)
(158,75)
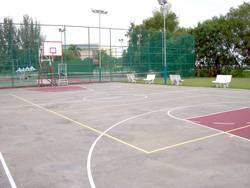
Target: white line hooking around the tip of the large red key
(189,121)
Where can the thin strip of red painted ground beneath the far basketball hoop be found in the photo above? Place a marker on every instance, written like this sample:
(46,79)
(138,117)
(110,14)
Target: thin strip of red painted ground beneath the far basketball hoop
(58,89)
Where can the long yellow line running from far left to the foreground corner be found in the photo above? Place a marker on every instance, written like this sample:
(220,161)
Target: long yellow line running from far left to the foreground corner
(80,124)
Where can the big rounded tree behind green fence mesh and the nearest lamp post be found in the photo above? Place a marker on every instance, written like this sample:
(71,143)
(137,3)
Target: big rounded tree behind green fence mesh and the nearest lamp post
(145,51)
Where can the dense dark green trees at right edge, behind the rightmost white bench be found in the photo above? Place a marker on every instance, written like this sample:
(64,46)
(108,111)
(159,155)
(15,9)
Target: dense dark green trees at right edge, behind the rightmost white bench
(224,42)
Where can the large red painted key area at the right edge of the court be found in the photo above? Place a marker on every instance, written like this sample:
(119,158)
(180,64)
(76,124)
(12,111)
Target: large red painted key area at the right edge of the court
(237,122)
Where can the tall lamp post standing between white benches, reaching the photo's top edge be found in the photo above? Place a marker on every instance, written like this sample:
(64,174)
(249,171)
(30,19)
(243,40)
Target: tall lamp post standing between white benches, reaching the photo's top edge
(164,5)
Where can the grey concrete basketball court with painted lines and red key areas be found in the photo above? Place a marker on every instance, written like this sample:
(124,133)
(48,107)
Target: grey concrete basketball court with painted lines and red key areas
(124,135)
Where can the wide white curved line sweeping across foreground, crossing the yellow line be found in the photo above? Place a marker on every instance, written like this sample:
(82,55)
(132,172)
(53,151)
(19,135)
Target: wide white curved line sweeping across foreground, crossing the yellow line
(90,177)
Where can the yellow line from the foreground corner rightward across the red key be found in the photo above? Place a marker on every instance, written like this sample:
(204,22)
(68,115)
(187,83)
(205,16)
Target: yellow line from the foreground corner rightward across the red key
(196,140)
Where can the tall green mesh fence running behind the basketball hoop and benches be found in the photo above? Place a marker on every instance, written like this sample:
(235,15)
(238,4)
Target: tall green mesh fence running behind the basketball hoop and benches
(141,53)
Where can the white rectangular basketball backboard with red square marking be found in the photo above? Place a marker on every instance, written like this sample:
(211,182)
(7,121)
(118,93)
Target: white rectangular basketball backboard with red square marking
(52,48)
